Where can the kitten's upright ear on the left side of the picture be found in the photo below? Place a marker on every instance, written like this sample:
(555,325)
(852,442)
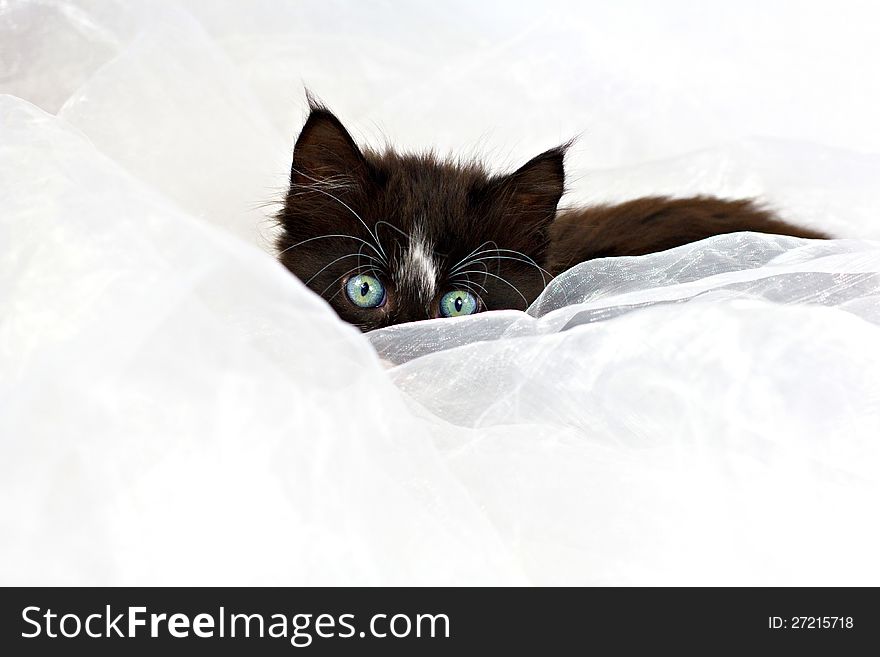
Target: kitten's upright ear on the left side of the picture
(324,151)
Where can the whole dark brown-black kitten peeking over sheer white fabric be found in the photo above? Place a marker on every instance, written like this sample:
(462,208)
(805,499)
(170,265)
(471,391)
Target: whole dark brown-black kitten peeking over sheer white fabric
(388,238)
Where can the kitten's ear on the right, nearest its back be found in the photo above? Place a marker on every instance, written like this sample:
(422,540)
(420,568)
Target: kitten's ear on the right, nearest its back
(532,192)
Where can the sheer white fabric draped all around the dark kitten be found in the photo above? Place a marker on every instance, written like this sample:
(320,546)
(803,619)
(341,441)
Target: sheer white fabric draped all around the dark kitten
(176,408)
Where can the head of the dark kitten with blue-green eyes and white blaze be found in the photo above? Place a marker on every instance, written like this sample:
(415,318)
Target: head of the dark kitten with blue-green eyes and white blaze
(389,238)
